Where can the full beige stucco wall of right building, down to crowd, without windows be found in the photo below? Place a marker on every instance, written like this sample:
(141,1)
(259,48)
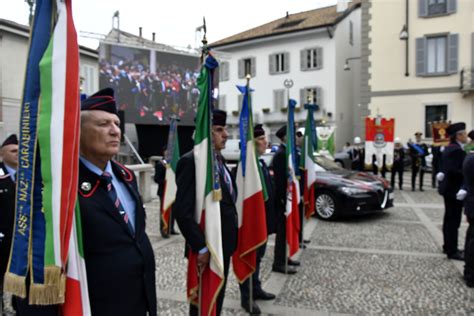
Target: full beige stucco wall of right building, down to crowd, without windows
(405,98)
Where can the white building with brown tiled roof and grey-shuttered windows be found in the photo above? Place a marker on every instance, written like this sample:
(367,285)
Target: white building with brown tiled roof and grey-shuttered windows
(308,48)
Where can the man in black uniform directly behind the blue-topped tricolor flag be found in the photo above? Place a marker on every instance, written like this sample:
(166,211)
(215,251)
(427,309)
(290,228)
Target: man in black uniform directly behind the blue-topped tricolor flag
(258,293)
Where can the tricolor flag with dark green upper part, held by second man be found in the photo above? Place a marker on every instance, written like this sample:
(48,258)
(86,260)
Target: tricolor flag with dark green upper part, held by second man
(207,212)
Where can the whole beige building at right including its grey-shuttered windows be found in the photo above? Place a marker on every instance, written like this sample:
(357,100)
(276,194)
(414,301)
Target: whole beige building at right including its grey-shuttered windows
(419,57)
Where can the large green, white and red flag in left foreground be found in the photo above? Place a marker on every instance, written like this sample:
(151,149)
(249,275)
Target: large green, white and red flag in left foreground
(58,135)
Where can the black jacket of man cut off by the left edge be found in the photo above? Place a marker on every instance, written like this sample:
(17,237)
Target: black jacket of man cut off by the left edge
(7,216)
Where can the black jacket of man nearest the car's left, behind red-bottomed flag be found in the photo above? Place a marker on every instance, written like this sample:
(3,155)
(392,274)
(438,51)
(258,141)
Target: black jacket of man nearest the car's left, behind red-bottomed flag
(281,179)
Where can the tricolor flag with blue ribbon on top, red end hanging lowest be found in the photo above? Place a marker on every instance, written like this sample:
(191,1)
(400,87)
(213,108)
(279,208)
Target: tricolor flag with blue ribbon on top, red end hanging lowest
(250,203)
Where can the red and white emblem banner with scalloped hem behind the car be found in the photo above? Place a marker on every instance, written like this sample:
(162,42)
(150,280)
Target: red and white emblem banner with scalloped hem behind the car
(379,137)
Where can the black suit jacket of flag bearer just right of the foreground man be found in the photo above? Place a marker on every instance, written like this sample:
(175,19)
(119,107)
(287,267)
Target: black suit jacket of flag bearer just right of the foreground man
(184,208)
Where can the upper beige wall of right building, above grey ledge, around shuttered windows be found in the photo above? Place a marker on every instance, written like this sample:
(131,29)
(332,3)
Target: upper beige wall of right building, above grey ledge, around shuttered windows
(388,51)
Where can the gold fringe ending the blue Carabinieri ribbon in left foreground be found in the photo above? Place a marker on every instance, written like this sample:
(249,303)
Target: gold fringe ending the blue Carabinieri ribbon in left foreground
(52,291)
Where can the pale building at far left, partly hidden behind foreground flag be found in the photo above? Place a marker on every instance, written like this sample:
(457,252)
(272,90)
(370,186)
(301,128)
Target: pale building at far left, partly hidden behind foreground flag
(14,41)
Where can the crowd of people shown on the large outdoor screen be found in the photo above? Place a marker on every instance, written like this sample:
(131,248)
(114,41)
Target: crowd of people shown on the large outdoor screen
(152,96)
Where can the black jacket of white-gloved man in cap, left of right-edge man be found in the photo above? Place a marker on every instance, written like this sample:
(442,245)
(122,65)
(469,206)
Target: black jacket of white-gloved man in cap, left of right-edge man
(451,165)
